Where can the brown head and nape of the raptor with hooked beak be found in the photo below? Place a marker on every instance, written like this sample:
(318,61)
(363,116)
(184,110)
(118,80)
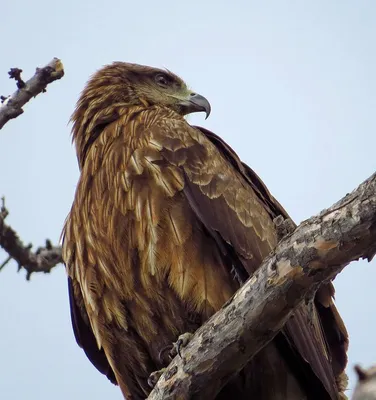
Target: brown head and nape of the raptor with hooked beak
(120,85)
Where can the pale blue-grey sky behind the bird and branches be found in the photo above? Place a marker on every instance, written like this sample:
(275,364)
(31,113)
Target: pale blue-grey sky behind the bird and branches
(292,88)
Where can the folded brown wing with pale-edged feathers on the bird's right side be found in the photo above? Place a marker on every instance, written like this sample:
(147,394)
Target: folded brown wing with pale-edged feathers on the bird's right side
(237,210)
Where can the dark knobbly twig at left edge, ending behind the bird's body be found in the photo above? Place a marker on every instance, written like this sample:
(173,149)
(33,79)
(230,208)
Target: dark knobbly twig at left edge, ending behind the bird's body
(43,260)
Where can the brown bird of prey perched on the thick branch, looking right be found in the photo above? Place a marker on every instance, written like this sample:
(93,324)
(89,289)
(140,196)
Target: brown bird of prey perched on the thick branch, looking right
(166,224)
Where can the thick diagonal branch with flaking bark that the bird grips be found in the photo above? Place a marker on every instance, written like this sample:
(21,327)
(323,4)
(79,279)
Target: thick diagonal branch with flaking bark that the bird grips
(314,253)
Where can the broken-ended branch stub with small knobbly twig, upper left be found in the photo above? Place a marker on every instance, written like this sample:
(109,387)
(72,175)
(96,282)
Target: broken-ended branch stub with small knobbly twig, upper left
(11,106)
